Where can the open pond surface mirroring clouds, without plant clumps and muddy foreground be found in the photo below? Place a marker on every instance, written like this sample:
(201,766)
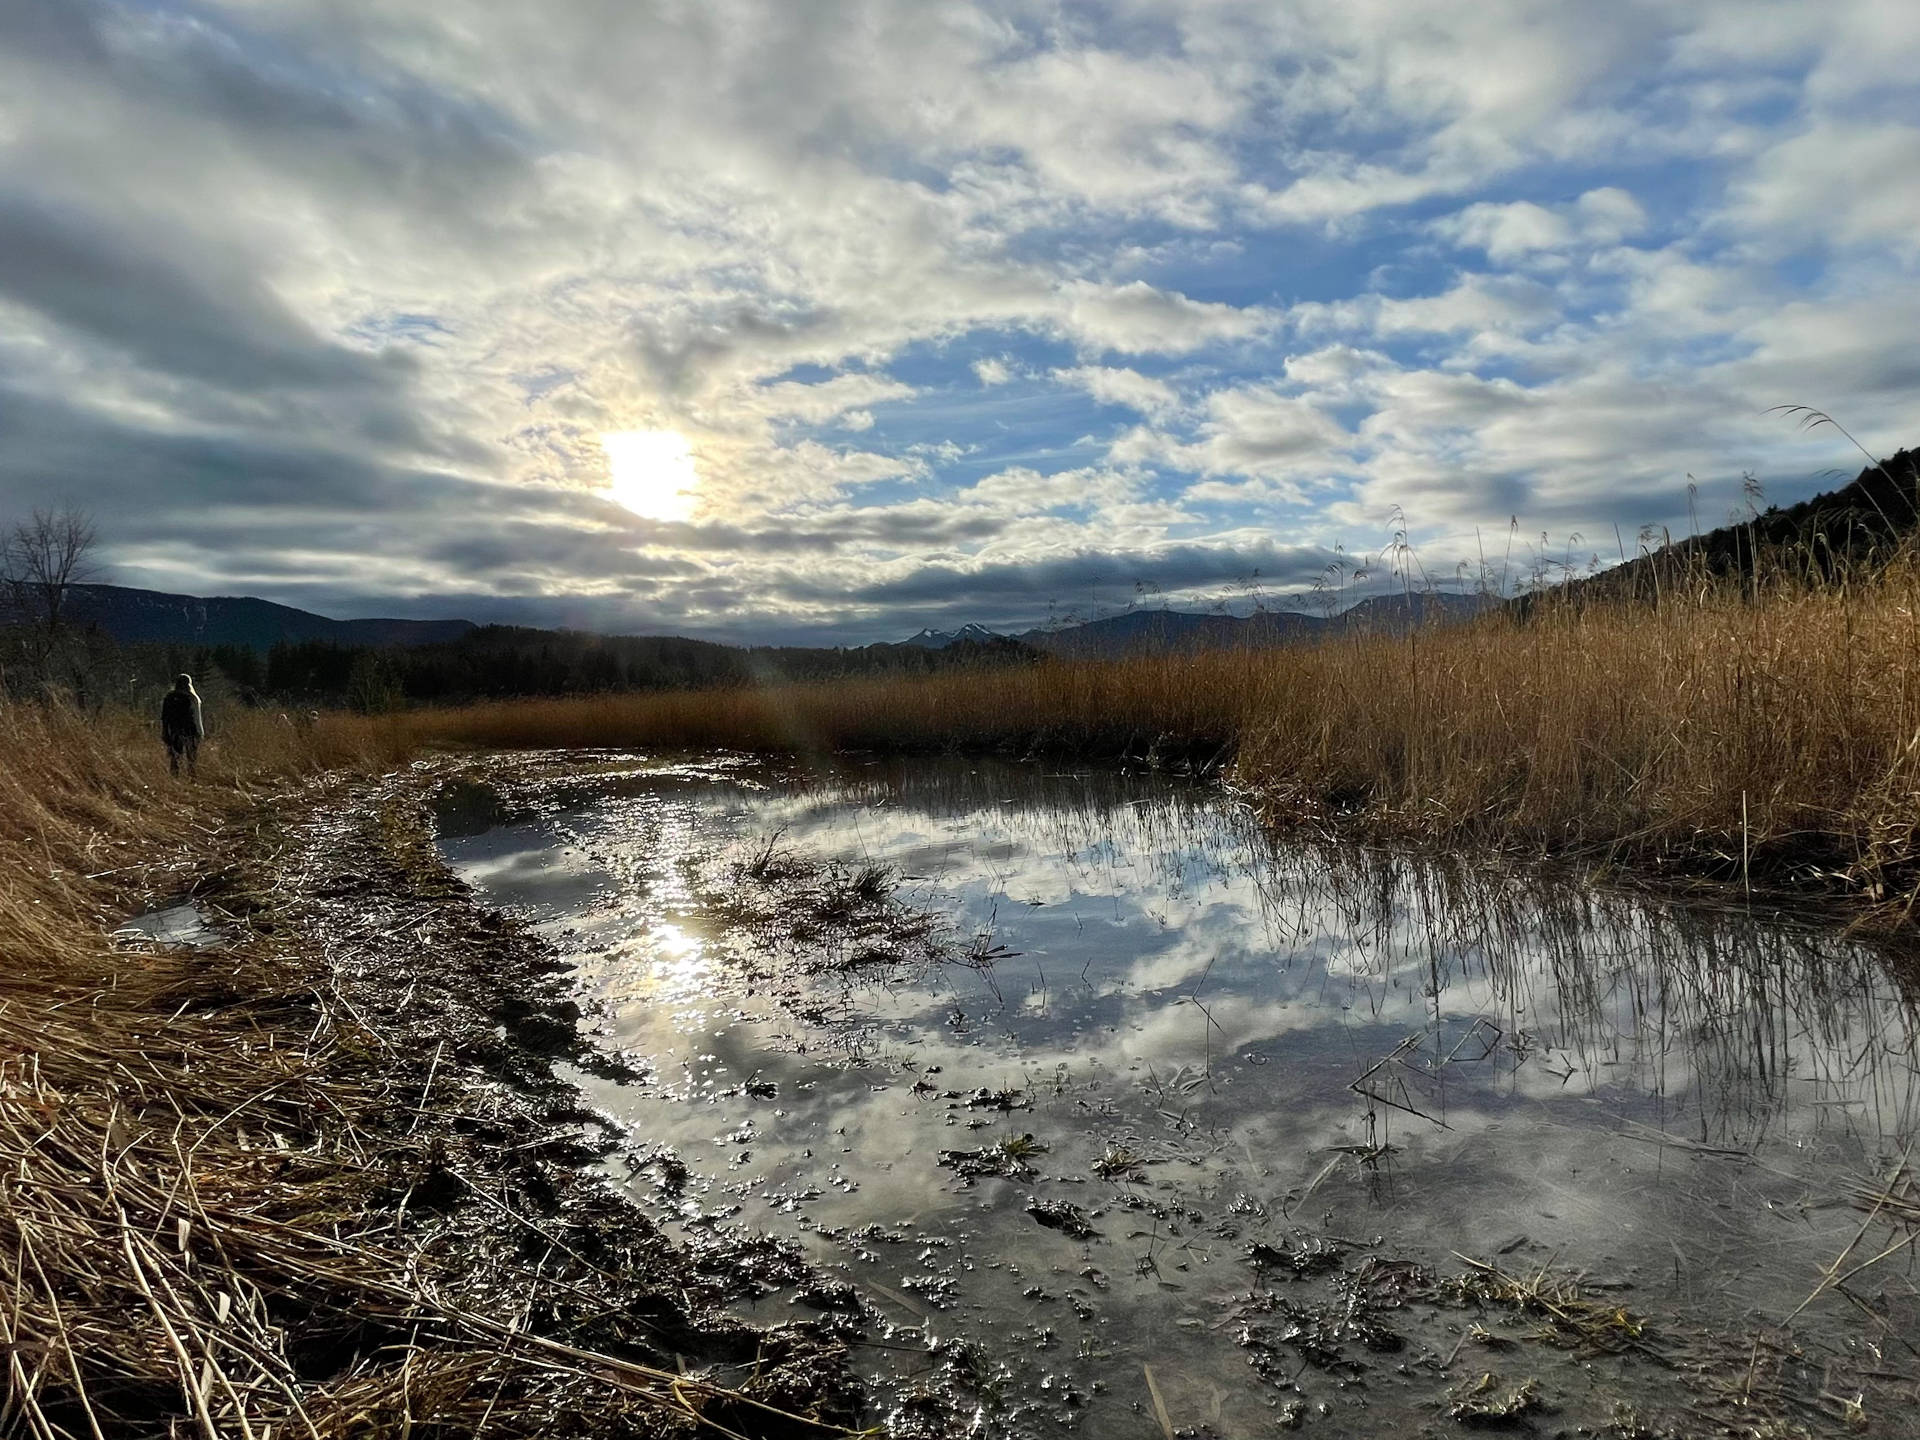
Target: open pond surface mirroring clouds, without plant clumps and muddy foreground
(1449,1057)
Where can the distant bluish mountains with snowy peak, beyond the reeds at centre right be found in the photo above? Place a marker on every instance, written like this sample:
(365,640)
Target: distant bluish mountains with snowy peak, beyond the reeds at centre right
(1153,633)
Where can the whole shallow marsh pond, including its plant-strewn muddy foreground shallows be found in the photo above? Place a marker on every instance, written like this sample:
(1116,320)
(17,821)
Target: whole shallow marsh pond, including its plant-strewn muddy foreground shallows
(1107,1113)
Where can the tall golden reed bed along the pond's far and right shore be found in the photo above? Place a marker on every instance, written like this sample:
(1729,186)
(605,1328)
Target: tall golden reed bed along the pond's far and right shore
(1769,736)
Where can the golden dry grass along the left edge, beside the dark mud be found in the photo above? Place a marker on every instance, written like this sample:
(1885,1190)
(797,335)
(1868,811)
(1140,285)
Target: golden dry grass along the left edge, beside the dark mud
(91,1042)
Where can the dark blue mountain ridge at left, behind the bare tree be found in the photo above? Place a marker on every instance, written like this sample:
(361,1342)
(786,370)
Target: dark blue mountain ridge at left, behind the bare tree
(135,617)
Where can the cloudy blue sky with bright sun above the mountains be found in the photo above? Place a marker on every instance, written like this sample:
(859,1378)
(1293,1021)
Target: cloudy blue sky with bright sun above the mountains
(832,320)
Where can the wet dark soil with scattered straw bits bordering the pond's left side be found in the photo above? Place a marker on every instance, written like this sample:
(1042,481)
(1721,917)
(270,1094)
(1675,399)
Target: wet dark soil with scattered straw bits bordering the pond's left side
(487,1164)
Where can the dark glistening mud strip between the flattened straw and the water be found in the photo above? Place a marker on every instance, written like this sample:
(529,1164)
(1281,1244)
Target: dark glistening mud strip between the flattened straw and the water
(496,1163)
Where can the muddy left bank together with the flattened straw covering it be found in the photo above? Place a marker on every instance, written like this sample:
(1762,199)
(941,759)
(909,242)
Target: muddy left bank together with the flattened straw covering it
(314,1174)
